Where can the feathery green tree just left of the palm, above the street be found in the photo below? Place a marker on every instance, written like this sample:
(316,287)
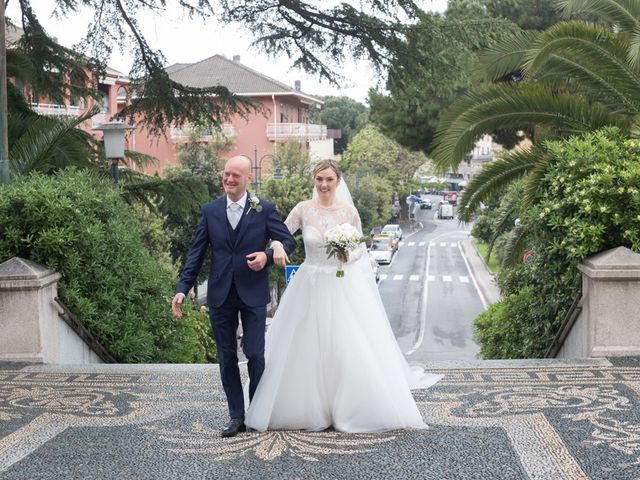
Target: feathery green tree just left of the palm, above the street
(434,67)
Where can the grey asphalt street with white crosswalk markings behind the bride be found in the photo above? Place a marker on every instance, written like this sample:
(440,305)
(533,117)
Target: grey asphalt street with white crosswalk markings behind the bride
(429,292)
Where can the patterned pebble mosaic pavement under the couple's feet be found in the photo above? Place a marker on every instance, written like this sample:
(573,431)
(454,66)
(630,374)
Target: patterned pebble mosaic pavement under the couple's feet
(151,422)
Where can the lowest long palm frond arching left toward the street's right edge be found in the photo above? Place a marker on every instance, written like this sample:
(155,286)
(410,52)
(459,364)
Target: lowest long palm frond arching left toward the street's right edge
(494,177)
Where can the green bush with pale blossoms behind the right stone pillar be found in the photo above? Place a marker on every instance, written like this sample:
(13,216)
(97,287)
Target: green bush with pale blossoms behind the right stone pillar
(589,202)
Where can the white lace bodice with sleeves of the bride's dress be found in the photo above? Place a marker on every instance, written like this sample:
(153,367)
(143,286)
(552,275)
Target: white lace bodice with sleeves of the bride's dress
(314,221)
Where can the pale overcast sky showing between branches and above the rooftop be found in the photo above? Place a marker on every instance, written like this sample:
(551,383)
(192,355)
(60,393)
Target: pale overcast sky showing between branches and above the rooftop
(184,40)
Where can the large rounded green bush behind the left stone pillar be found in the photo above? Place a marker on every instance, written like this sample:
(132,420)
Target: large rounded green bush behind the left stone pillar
(79,226)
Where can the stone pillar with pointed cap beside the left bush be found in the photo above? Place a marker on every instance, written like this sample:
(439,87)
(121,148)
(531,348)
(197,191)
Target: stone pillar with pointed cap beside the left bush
(27,292)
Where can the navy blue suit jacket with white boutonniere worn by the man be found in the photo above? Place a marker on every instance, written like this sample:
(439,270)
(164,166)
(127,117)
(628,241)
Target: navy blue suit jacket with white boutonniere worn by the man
(228,258)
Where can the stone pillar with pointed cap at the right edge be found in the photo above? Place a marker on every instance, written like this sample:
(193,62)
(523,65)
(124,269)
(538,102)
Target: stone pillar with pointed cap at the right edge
(611,303)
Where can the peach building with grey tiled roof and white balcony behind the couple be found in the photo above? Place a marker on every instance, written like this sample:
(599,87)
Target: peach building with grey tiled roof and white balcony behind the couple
(285,113)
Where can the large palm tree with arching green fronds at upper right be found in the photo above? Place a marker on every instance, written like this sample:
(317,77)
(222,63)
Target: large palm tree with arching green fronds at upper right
(577,76)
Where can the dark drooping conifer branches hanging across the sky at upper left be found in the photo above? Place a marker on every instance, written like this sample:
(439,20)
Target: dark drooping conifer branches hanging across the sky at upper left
(316,38)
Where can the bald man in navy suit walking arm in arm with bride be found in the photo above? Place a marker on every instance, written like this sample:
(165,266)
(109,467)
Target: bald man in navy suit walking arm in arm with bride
(238,227)
